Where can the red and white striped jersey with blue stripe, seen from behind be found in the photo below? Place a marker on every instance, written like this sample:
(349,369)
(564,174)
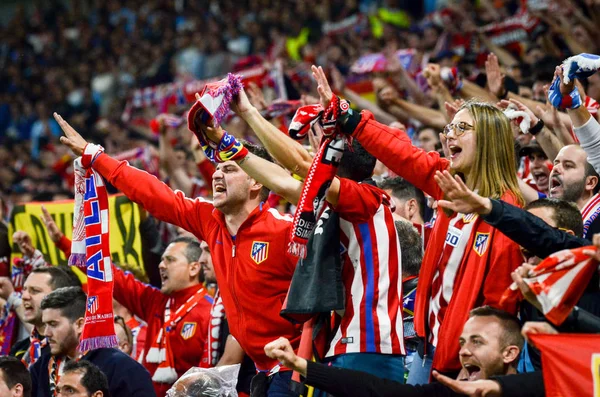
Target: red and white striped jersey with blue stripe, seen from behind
(372,274)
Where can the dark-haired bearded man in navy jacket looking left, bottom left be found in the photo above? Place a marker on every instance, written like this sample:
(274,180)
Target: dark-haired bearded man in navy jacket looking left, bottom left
(63,312)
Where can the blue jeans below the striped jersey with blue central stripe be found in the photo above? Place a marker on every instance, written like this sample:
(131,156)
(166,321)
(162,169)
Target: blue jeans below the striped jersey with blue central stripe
(386,366)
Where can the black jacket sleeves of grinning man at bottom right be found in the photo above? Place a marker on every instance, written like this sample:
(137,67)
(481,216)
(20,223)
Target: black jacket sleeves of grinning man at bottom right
(348,383)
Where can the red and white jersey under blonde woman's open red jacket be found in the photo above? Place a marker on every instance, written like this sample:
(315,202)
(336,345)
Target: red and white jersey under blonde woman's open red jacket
(457,239)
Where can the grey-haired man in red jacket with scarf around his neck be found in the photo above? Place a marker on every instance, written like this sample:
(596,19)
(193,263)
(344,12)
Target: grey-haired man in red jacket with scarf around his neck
(180,310)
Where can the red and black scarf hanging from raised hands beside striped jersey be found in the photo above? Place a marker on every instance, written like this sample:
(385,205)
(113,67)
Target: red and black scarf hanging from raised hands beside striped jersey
(322,170)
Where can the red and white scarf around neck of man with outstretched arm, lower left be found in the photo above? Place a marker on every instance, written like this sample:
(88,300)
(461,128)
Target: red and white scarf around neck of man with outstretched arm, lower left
(160,352)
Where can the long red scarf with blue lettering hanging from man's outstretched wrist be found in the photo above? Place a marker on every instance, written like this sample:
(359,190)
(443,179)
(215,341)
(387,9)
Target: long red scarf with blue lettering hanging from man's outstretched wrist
(99,328)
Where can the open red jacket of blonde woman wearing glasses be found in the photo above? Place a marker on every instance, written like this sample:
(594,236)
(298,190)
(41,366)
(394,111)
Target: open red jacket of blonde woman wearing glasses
(481,280)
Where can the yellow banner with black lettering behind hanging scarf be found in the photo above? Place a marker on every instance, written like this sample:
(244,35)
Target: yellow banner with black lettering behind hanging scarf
(125,239)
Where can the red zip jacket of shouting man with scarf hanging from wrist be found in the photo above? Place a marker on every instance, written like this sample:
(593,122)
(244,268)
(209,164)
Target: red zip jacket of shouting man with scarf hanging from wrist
(253,269)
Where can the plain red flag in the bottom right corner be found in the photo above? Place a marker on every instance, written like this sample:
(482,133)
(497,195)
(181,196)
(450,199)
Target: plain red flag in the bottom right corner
(571,364)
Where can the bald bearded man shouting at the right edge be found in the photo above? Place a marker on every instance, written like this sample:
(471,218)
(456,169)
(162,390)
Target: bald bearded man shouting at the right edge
(574,179)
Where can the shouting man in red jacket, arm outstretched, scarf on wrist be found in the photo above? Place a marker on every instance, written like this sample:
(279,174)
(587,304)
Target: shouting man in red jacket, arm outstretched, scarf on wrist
(247,239)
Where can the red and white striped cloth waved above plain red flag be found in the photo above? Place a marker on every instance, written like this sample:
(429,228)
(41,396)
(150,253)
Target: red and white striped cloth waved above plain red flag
(558,282)
